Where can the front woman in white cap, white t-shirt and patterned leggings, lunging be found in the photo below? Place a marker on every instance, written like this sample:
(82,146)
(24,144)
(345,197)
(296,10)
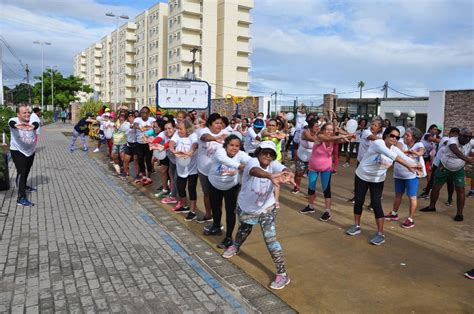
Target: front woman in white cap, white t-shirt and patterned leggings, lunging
(257,205)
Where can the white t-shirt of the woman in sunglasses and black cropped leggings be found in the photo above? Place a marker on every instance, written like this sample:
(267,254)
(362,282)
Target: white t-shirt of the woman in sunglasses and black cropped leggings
(376,161)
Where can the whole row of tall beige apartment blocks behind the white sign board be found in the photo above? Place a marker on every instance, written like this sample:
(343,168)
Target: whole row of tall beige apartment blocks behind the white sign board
(211,38)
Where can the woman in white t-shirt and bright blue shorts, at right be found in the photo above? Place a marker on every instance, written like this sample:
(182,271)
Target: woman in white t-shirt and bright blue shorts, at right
(407,180)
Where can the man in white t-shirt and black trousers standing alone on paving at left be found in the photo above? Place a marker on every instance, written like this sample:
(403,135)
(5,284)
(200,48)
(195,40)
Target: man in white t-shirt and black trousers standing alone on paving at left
(22,149)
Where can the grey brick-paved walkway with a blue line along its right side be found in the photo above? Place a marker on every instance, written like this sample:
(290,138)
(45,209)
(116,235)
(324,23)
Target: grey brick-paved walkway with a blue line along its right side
(89,245)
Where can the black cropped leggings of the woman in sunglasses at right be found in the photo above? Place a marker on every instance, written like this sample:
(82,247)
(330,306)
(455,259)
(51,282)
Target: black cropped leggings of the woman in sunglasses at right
(376,190)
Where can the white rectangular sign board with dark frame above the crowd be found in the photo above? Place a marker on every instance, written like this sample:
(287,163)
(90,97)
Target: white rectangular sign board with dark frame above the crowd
(182,94)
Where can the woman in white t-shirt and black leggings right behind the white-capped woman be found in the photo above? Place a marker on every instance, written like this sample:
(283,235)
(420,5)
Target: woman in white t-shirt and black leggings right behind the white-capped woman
(224,179)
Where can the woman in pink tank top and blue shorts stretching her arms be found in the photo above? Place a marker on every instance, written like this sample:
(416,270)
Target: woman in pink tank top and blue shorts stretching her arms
(320,165)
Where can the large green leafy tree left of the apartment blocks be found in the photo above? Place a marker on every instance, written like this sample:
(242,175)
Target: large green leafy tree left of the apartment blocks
(64,88)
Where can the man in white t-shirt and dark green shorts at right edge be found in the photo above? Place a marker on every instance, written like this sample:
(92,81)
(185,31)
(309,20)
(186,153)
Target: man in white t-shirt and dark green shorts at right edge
(451,166)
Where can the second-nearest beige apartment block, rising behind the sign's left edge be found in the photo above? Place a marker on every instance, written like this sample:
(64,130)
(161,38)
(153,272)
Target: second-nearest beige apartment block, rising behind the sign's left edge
(150,52)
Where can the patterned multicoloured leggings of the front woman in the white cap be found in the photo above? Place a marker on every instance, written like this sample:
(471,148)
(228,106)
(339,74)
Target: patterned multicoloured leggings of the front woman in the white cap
(267,223)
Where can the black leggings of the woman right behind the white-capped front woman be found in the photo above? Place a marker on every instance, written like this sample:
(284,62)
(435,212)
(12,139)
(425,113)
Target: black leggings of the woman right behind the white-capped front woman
(230,197)
